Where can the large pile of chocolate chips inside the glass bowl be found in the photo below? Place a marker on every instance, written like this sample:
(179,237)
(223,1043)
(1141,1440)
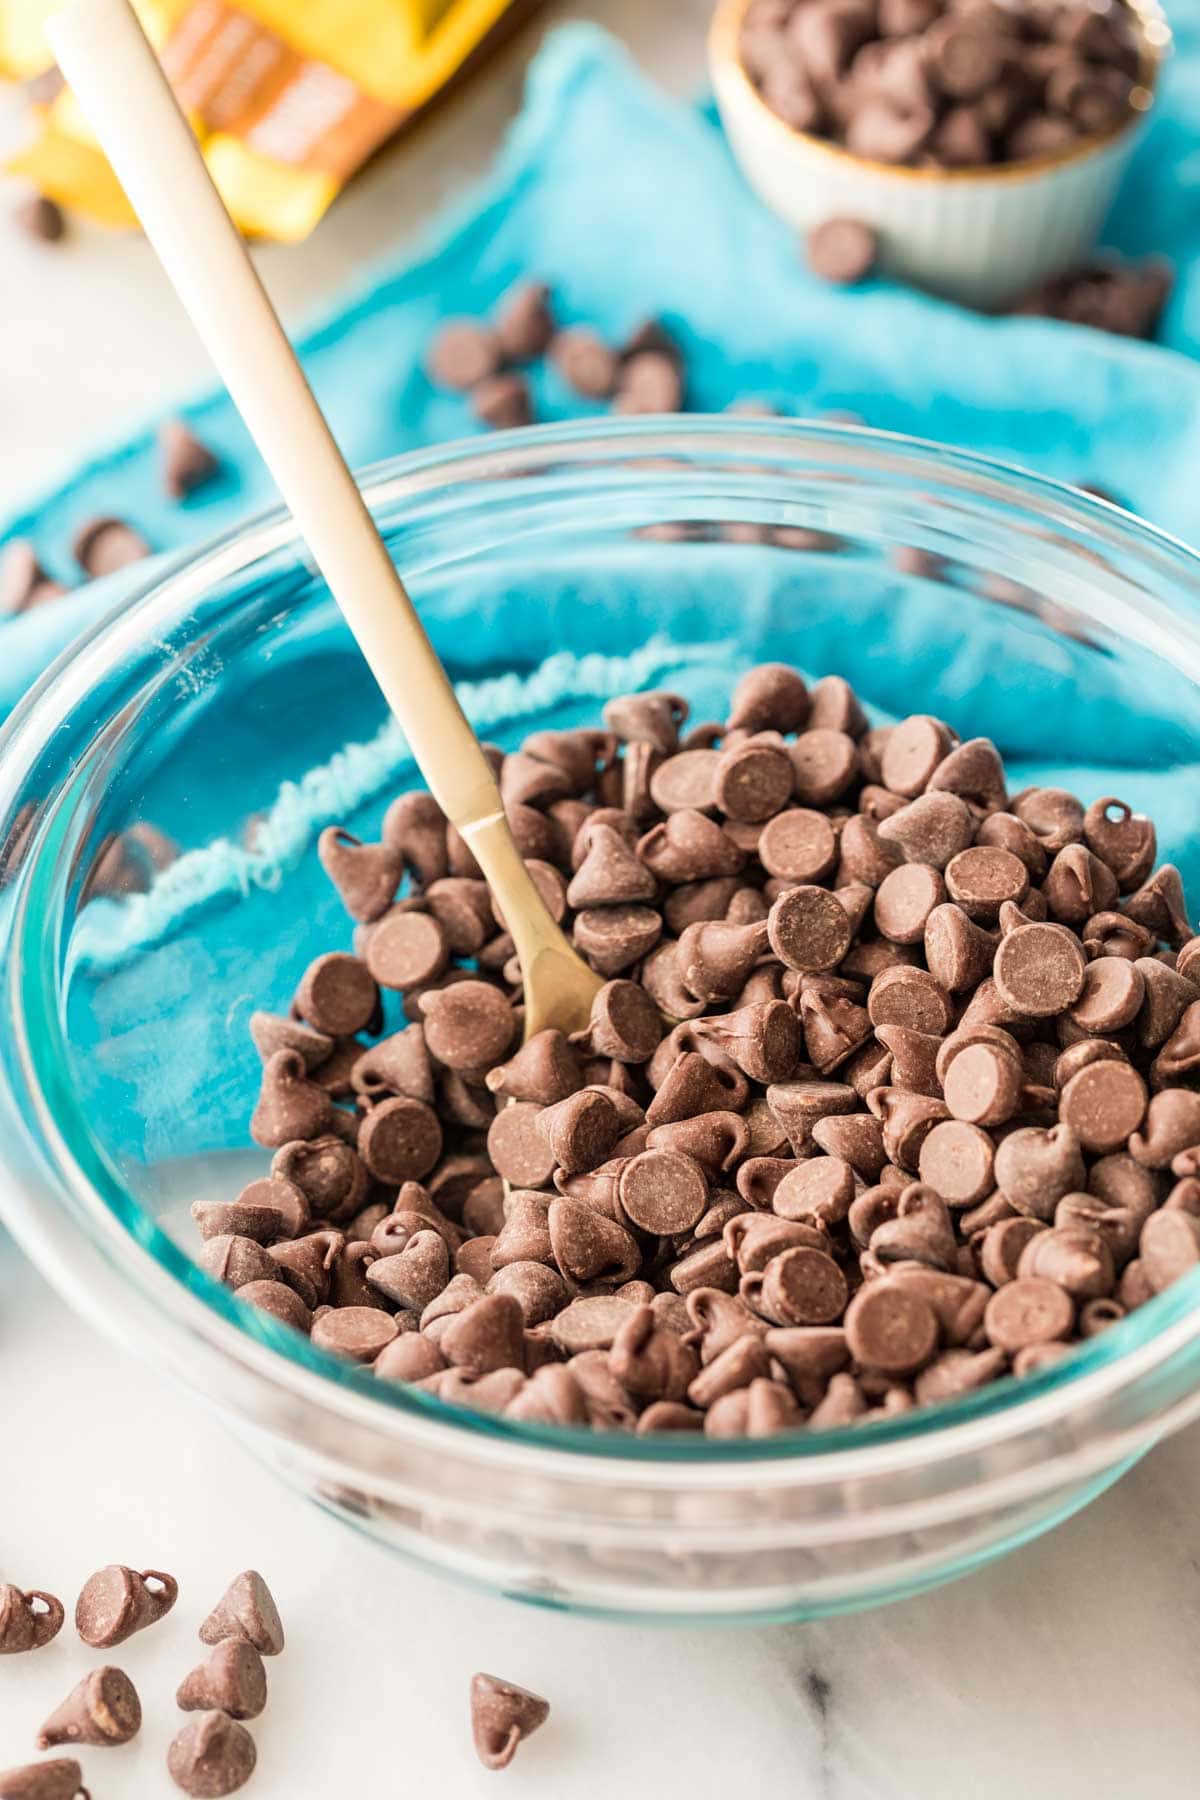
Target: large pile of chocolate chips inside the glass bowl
(888,1092)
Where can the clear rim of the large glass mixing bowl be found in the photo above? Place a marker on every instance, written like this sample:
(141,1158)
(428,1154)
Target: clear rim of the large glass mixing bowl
(235,1333)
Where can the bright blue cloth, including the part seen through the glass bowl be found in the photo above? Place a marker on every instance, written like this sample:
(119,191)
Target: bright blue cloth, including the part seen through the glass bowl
(627,204)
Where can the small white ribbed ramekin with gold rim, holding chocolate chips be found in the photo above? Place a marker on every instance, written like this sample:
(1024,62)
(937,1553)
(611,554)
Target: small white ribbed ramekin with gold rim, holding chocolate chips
(981,237)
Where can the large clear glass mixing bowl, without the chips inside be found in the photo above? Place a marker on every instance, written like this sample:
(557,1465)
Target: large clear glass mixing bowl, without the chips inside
(228,706)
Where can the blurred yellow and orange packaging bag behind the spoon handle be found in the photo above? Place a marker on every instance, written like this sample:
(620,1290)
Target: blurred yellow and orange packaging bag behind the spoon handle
(289,98)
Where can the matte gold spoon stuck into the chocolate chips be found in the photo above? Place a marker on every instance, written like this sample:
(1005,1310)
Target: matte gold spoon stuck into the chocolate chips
(129,103)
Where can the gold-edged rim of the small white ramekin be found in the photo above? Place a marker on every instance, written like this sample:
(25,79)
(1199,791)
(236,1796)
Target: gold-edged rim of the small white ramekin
(733,85)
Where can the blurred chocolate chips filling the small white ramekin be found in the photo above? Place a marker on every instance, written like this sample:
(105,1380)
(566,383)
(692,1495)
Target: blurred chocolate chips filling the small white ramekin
(945,84)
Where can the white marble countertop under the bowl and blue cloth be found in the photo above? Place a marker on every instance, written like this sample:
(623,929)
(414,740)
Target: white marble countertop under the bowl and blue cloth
(1064,1673)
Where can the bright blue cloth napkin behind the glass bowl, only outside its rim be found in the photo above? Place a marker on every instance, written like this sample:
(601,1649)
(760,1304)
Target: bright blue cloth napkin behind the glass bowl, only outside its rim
(631,204)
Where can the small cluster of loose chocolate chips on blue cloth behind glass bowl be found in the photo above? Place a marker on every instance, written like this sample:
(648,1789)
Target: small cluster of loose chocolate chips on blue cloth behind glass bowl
(483,359)
